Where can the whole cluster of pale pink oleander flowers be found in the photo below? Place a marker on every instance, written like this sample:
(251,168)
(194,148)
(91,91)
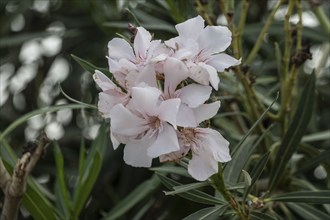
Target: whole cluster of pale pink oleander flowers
(159,96)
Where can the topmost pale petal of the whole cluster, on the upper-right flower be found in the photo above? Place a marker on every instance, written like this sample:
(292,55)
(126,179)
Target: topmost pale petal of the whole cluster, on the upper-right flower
(190,28)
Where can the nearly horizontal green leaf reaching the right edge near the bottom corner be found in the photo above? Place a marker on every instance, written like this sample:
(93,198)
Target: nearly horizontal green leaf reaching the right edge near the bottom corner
(316,197)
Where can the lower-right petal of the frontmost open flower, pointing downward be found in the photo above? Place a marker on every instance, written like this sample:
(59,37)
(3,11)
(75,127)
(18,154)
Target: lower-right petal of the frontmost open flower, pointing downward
(166,142)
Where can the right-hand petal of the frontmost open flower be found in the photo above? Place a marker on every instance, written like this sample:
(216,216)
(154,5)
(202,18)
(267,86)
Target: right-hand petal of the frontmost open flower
(168,110)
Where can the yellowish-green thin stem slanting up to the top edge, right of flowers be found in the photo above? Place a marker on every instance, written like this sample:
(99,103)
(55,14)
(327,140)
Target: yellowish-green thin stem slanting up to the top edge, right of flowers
(260,39)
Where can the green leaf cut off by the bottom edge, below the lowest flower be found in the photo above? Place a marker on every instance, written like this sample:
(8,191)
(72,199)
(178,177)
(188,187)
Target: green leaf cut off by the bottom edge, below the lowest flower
(210,213)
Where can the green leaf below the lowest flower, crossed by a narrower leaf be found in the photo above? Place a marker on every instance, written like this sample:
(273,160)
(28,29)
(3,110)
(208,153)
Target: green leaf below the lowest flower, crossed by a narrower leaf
(193,195)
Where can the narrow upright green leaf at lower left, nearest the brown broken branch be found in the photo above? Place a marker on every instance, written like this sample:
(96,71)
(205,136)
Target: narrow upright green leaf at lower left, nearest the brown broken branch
(63,196)
